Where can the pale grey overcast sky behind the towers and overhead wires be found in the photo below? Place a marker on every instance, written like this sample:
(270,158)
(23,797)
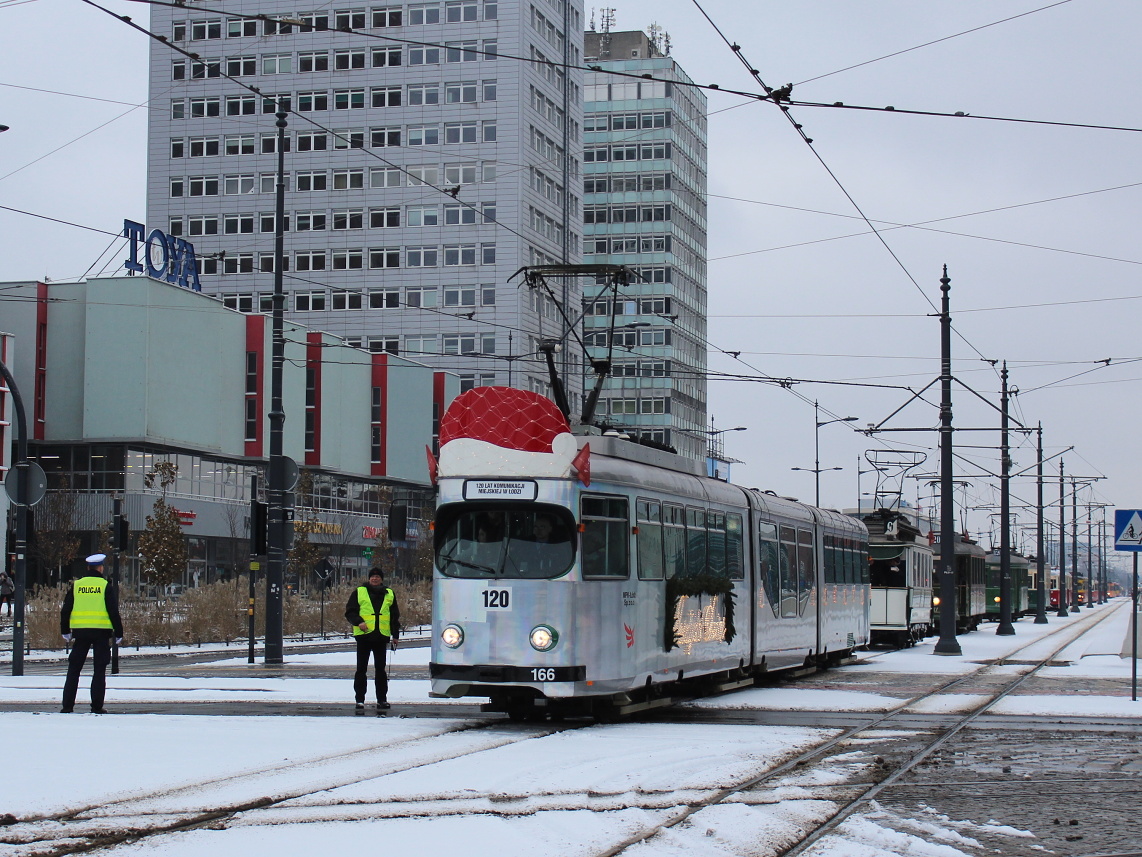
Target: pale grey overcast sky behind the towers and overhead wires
(1036,223)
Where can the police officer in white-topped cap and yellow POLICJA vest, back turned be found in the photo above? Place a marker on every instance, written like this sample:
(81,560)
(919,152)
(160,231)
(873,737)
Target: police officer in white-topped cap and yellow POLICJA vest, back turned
(89,621)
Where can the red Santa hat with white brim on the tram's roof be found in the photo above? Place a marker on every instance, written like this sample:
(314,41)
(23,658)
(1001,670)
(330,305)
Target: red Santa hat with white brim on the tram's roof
(508,432)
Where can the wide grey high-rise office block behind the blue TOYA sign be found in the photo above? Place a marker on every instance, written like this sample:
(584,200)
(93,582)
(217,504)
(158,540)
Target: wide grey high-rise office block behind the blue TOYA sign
(432,150)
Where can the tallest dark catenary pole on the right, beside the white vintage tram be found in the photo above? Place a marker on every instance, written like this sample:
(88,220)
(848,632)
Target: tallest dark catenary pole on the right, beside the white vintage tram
(947,644)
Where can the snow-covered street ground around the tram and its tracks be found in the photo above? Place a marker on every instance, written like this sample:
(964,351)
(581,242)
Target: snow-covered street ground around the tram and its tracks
(302,786)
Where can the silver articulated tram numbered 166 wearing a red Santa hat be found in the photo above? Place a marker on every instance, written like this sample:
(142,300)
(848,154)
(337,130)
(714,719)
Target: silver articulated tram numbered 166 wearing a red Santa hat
(592,575)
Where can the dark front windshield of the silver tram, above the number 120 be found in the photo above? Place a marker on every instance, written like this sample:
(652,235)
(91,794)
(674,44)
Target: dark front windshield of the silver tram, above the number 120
(505,541)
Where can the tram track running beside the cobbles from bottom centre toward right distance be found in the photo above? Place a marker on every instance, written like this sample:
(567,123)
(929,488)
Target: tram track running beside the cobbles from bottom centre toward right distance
(1071,634)
